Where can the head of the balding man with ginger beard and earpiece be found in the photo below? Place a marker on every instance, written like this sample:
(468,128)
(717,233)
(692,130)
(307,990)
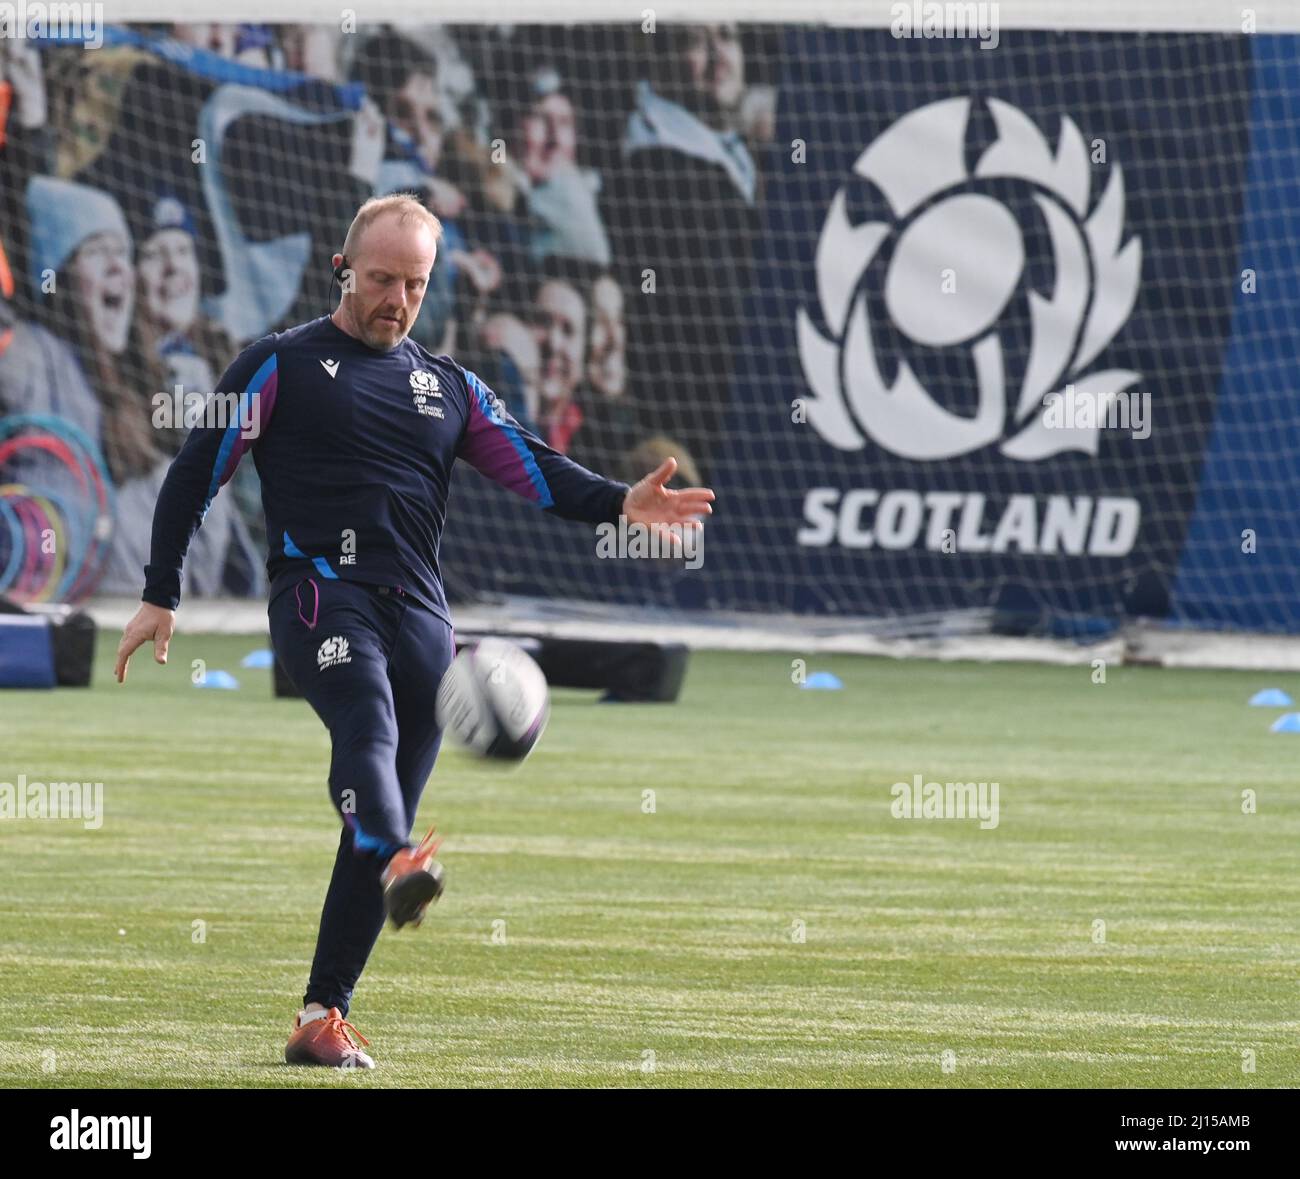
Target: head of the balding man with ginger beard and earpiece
(387,283)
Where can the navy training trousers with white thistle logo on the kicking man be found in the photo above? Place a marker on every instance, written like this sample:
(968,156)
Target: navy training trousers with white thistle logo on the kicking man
(369,660)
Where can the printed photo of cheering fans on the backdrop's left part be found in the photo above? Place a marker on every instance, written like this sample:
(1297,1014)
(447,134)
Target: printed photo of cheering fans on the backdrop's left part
(176,194)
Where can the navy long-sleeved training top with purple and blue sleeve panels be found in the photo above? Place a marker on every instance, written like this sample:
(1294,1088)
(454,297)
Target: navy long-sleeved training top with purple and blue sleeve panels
(354,449)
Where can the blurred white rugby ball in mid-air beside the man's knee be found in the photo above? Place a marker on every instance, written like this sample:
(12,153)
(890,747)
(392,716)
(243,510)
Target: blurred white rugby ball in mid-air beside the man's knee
(495,700)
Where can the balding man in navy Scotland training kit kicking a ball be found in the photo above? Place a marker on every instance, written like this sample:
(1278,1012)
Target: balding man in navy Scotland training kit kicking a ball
(354,431)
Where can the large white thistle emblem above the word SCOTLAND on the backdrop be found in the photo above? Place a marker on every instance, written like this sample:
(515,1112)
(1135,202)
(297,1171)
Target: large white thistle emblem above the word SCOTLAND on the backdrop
(942,223)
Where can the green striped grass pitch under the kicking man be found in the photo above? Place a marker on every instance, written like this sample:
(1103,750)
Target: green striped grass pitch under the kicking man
(584,942)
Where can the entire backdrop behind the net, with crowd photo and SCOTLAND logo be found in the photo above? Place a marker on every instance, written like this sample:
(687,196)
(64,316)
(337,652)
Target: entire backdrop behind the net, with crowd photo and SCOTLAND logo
(846,278)
